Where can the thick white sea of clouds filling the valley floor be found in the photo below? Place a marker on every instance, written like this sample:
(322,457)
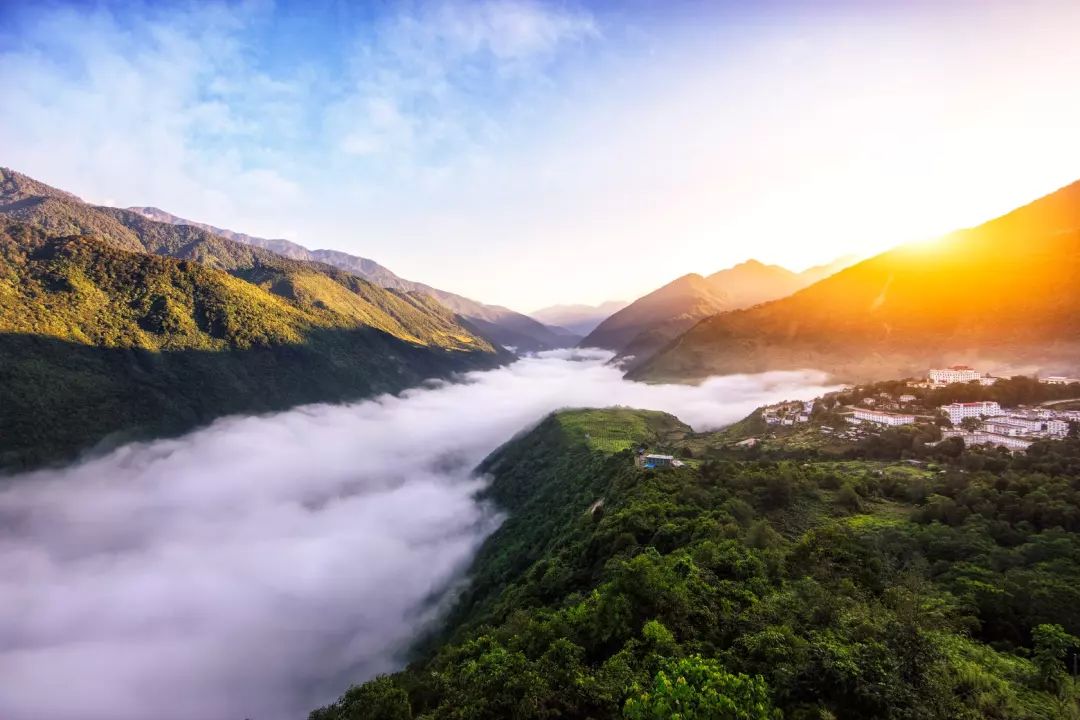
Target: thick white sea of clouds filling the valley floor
(254,568)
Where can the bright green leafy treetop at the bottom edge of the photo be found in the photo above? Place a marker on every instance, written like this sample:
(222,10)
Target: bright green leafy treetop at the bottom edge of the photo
(700,689)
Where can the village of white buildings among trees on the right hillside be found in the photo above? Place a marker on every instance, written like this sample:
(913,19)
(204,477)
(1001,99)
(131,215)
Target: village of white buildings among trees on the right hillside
(976,424)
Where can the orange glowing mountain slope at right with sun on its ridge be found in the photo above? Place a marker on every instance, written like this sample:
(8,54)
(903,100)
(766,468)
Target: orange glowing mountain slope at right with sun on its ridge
(1002,296)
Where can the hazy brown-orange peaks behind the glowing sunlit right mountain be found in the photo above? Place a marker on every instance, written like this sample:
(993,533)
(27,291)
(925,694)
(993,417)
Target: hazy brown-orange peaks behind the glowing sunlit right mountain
(653,321)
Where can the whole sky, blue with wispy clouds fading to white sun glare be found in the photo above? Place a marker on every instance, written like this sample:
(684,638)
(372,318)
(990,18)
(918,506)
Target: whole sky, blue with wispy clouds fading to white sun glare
(529,154)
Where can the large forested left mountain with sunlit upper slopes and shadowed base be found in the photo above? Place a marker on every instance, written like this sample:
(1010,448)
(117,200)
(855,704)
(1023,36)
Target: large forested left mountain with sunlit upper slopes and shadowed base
(116,328)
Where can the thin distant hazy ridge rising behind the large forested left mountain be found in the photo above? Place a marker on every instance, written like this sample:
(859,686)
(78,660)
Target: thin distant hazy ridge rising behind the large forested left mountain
(499,324)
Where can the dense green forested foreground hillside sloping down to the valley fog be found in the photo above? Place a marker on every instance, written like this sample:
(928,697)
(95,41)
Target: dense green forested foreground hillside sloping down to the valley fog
(737,589)
